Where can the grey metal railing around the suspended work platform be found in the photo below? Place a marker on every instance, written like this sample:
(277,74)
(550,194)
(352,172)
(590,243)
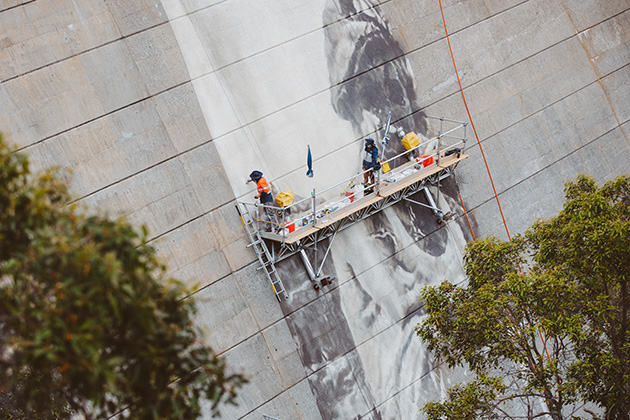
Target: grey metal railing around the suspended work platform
(306,211)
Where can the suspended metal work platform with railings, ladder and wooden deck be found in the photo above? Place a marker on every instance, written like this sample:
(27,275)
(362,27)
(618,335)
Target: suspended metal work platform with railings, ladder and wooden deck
(302,225)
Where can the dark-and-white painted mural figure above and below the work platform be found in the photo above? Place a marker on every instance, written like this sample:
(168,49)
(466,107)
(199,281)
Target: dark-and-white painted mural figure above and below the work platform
(368,359)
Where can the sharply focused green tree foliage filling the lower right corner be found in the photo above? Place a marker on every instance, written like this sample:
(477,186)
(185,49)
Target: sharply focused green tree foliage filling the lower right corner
(544,321)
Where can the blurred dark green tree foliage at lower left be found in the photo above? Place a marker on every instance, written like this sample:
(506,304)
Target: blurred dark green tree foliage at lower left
(88,323)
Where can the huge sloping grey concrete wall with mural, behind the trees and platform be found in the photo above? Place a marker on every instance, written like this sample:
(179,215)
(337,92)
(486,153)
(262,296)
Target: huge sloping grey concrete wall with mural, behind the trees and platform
(163,108)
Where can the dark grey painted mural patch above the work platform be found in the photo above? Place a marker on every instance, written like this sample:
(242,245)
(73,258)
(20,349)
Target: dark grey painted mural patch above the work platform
(368,72)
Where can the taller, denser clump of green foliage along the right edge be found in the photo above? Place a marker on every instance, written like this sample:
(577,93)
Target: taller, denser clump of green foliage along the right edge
(588,243)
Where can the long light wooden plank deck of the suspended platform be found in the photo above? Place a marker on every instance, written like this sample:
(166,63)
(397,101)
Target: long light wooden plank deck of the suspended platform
(387,189)
